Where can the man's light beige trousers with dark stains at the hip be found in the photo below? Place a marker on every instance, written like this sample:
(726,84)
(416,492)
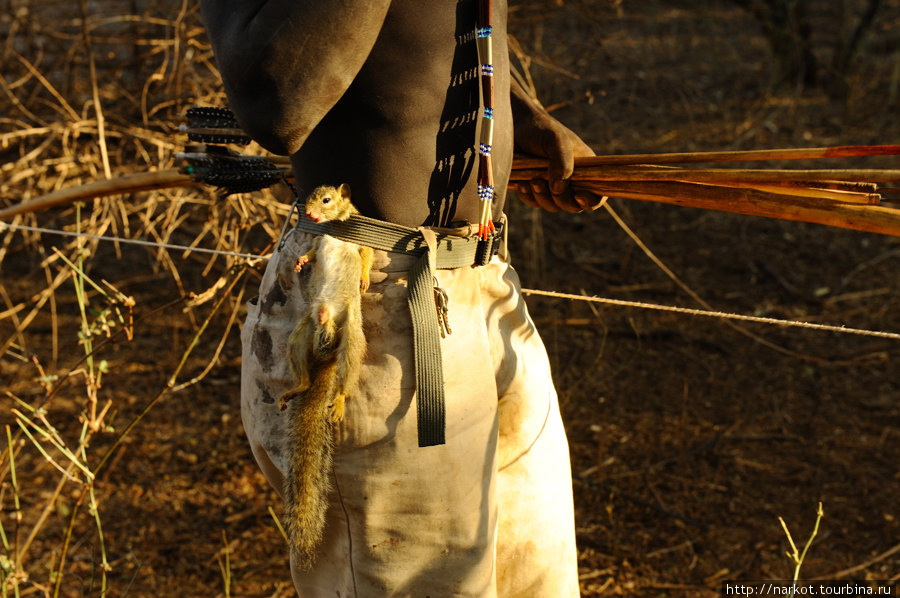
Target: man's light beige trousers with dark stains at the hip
(487,514)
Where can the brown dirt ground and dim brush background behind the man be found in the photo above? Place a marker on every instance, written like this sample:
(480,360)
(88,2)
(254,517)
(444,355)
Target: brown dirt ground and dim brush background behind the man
(690,436)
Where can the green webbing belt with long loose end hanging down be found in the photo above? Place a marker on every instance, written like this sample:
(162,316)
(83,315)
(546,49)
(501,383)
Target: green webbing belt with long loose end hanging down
(448,251)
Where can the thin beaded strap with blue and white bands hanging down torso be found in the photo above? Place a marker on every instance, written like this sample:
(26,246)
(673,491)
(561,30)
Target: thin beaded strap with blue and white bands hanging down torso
(483,33)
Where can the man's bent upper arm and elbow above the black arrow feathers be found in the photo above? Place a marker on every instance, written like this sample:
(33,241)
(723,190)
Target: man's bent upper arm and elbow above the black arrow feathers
(285,63)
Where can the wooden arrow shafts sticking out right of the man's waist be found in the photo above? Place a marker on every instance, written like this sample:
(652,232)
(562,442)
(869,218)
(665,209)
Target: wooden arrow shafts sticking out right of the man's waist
(859,199)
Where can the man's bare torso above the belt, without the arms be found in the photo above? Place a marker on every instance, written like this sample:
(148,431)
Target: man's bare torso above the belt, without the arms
(403,135)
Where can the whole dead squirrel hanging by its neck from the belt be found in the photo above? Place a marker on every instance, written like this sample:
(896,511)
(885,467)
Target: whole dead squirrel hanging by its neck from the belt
(326,351)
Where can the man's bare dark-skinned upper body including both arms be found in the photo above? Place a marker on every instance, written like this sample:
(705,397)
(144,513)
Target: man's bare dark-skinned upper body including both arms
(381,94)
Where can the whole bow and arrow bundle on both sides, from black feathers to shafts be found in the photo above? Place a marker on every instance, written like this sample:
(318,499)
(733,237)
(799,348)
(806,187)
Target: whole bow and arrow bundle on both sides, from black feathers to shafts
(859,199)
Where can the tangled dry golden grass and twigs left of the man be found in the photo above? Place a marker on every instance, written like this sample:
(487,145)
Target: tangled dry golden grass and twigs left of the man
(93,91)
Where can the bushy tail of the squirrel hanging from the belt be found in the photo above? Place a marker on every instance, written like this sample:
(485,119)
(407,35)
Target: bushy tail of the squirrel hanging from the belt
(308,482)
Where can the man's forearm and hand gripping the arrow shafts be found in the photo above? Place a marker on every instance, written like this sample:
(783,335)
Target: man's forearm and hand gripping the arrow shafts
(539,134)
